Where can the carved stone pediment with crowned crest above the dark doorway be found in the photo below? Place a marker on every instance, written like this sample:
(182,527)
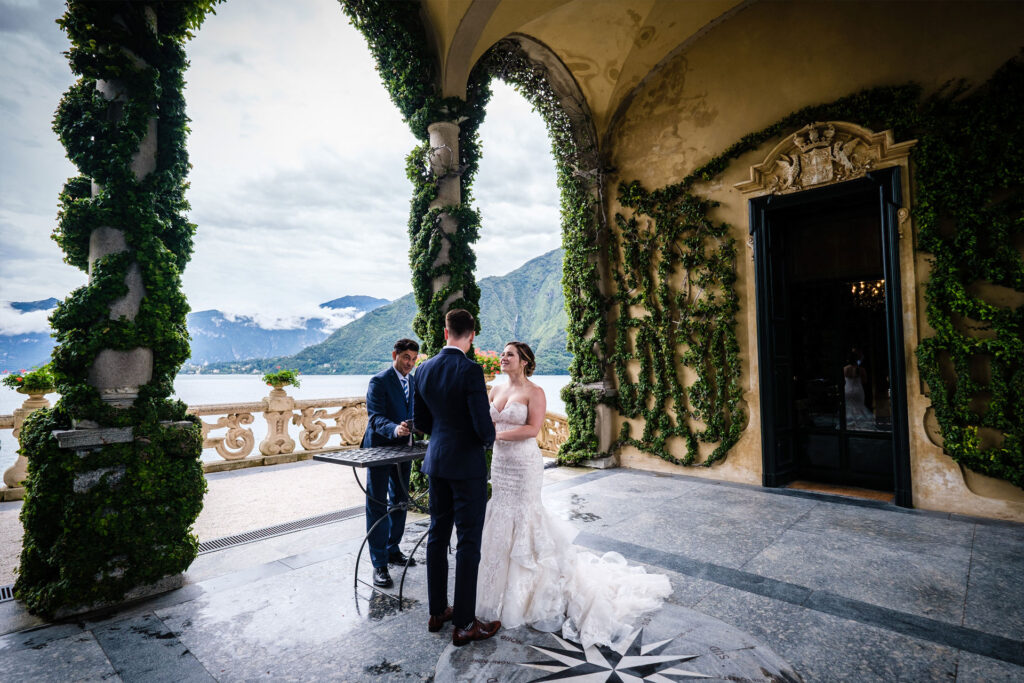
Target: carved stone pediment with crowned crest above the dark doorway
(824,153)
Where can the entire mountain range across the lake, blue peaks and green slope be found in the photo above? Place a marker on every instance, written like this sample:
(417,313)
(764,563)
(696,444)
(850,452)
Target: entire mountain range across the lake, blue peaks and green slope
(351,335)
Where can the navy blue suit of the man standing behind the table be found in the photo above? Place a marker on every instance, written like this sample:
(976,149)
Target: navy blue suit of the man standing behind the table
(387,407)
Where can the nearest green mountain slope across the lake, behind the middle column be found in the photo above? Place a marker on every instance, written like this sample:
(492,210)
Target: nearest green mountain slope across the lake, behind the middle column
(526,306)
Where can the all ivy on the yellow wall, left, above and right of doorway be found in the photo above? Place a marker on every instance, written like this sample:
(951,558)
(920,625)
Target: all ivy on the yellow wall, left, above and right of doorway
(968,175)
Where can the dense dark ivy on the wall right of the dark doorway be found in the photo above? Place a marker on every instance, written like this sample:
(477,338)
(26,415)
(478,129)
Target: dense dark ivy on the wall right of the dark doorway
(970,215)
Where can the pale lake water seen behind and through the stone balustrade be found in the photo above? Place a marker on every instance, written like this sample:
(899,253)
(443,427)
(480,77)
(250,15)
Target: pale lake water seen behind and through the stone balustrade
(196,390)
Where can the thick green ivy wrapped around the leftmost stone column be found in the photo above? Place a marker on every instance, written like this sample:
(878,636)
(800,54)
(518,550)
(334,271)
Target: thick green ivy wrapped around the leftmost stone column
(101,523)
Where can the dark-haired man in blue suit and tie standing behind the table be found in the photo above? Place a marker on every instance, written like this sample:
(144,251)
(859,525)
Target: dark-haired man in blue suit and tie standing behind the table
(390,413)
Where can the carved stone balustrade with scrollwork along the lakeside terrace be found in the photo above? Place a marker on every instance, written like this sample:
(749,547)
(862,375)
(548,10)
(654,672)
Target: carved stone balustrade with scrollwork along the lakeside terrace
(230,430)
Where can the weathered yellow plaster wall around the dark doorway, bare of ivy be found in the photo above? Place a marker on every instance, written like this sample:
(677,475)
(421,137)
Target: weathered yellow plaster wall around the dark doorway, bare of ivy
(761,65)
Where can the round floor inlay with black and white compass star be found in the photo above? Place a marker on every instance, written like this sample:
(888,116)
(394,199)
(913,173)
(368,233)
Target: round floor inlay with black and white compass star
(671,645)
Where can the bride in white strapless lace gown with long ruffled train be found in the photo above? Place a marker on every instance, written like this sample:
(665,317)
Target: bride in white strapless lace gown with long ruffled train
(530,571)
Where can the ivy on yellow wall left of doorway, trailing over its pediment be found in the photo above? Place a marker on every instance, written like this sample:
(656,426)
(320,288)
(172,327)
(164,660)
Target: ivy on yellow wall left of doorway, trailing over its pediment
(674,271)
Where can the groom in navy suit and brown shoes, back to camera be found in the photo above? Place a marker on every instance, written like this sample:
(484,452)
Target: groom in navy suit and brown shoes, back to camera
(452,407)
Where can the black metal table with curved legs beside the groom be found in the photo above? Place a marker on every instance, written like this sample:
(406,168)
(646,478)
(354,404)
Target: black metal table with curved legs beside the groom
(376,457)
